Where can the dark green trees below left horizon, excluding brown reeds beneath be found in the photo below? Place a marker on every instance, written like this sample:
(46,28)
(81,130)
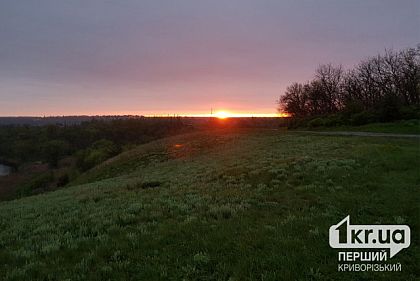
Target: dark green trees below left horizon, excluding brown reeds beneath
(91,142)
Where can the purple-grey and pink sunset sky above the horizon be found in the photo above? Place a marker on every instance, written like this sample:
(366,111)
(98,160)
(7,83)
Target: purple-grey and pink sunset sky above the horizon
(184,56)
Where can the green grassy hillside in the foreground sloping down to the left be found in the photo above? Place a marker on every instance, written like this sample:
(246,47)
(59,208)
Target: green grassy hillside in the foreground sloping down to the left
(217,205)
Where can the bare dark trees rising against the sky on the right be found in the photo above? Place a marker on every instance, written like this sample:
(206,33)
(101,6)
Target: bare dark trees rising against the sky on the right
(385,87)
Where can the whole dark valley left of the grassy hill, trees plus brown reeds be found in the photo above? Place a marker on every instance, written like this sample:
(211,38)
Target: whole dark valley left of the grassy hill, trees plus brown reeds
(69,150)
